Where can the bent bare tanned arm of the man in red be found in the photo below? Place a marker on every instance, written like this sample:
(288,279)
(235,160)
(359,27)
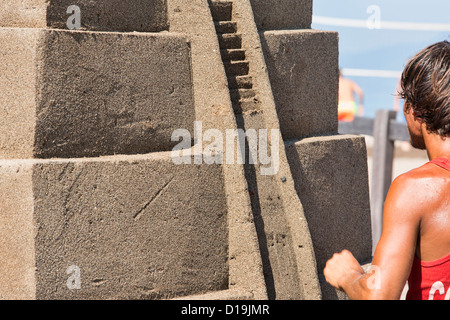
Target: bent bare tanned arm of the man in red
(394,254)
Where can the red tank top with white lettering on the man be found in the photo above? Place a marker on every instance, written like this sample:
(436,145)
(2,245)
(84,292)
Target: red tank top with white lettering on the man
(430,280)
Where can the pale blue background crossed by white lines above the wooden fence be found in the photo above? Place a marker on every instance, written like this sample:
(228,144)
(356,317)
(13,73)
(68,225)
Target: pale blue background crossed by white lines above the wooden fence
(387,48)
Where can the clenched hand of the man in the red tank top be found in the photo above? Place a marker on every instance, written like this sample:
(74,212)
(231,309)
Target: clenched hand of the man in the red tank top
(342,269)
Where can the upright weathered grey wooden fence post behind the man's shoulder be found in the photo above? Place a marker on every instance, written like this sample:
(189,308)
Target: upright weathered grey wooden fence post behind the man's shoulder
(383,156)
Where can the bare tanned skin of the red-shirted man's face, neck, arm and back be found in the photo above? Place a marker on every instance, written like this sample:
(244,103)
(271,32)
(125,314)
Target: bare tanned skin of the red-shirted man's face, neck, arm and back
(416,222)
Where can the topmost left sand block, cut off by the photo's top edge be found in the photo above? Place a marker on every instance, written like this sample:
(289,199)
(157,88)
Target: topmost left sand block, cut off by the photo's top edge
(99,15)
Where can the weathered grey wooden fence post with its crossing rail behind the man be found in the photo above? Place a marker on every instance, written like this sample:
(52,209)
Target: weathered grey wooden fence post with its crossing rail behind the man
(385,131)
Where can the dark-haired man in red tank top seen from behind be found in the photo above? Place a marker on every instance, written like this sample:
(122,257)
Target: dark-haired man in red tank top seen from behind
(415,242)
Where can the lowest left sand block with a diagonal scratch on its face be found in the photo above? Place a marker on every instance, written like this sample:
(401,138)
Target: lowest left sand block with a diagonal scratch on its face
(127,227)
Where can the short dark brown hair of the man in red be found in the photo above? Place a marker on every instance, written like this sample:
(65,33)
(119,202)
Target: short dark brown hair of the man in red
(425,86)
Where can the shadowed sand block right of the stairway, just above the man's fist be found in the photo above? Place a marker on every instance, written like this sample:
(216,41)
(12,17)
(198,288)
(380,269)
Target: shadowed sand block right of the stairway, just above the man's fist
(334,191)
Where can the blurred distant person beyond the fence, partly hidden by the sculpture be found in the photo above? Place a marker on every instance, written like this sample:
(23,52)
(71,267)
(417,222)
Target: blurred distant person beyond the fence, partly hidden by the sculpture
(348,107)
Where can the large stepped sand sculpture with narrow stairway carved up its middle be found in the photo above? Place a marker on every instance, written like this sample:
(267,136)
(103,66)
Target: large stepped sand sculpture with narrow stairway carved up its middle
(92,205)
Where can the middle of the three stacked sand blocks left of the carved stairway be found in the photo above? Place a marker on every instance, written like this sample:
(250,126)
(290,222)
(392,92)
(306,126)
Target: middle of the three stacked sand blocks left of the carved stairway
(82,94)
